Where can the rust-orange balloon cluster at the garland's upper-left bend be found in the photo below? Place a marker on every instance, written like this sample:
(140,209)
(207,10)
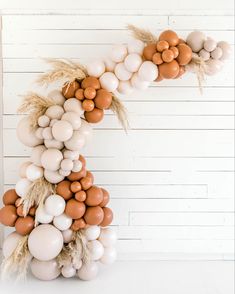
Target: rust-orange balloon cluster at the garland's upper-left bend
(94,99)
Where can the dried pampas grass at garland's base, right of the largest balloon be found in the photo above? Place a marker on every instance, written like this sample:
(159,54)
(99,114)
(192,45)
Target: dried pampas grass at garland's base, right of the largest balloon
(75,251)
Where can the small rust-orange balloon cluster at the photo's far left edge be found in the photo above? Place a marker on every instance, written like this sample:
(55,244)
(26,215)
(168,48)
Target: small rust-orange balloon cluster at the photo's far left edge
(12,215)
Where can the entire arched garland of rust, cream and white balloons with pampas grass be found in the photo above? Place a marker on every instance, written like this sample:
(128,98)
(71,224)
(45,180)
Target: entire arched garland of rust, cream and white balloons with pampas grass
(60,217)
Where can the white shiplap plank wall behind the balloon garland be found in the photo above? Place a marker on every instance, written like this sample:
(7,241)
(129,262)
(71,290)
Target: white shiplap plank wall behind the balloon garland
(171,177)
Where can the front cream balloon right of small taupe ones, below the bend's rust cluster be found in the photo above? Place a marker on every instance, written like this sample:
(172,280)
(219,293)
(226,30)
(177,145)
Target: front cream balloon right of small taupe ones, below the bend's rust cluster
(62,130)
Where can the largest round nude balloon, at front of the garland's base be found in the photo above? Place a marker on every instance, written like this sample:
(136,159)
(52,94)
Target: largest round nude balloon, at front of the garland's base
(45,242)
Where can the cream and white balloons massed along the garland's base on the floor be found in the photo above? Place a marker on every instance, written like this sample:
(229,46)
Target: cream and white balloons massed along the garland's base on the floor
(46,242)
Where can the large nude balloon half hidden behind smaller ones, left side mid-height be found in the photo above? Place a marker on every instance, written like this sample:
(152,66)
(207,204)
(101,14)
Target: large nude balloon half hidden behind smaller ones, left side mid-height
(26,134)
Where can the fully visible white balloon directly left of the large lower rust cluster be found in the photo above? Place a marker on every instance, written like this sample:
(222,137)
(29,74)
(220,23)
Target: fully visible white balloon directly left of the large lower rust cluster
(55,205)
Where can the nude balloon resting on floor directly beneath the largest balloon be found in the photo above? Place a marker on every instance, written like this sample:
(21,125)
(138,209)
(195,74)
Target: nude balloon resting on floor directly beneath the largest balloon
(45,270)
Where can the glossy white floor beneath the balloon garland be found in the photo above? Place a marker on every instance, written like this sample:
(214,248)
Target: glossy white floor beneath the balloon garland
(148,277)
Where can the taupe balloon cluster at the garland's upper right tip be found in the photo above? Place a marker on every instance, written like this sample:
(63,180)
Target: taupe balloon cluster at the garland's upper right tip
(208,50)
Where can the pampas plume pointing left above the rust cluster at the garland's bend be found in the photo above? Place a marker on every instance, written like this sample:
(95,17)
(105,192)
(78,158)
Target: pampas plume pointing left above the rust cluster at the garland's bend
(66,71)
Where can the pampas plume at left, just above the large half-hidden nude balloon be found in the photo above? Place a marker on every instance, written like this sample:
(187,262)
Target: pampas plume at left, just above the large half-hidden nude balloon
(35,105)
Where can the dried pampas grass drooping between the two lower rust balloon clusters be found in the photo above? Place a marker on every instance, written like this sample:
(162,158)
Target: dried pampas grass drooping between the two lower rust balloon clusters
(37,193)
